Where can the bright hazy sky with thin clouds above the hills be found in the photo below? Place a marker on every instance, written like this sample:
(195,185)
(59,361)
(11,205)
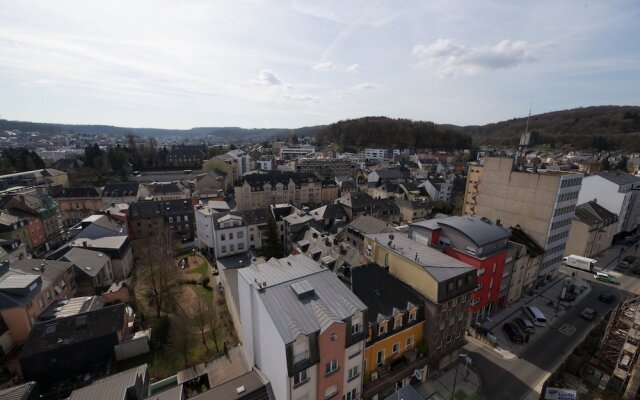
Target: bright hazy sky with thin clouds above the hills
(288,64)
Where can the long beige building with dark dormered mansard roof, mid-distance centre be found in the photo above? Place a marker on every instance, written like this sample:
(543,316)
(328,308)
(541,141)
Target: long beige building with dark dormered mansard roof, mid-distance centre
(274,187)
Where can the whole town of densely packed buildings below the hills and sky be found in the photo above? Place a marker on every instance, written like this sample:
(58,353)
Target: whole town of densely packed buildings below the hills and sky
(285,267)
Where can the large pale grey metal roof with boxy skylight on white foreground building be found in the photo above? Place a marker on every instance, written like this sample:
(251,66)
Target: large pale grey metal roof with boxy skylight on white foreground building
(325,301)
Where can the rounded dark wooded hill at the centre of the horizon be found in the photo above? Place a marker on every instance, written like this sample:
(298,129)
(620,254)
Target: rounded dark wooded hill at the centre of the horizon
(394,133)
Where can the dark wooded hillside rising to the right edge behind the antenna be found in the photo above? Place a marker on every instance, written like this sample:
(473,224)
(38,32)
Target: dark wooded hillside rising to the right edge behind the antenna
(599,128)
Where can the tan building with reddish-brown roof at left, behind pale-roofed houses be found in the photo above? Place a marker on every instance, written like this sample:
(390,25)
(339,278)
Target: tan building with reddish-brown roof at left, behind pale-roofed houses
(77,203)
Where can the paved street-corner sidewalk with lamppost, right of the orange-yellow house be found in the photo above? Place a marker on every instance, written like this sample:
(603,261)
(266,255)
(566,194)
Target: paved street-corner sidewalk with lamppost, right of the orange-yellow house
(439,385)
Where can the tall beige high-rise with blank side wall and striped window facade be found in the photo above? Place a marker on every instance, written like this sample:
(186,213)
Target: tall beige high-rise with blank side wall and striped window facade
(543,205)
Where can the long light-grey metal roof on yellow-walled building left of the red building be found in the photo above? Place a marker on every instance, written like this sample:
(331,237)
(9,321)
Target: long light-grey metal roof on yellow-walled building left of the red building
(437,264)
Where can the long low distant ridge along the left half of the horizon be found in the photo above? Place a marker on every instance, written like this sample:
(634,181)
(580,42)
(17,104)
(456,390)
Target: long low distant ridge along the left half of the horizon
(220,133)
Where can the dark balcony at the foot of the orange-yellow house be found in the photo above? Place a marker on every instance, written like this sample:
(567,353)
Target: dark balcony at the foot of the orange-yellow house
(399,368)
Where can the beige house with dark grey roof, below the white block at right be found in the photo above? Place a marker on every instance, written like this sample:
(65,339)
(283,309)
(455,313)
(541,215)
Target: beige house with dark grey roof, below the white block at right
(592,230)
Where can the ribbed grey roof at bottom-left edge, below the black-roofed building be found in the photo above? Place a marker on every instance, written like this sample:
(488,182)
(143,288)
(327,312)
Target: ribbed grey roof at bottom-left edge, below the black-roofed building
(111,387)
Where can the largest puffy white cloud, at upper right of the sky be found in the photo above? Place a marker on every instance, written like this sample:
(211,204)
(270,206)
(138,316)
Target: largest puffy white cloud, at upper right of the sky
(452,59)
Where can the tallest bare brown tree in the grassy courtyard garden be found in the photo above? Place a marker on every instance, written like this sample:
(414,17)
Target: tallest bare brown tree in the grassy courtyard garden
(157,270)
